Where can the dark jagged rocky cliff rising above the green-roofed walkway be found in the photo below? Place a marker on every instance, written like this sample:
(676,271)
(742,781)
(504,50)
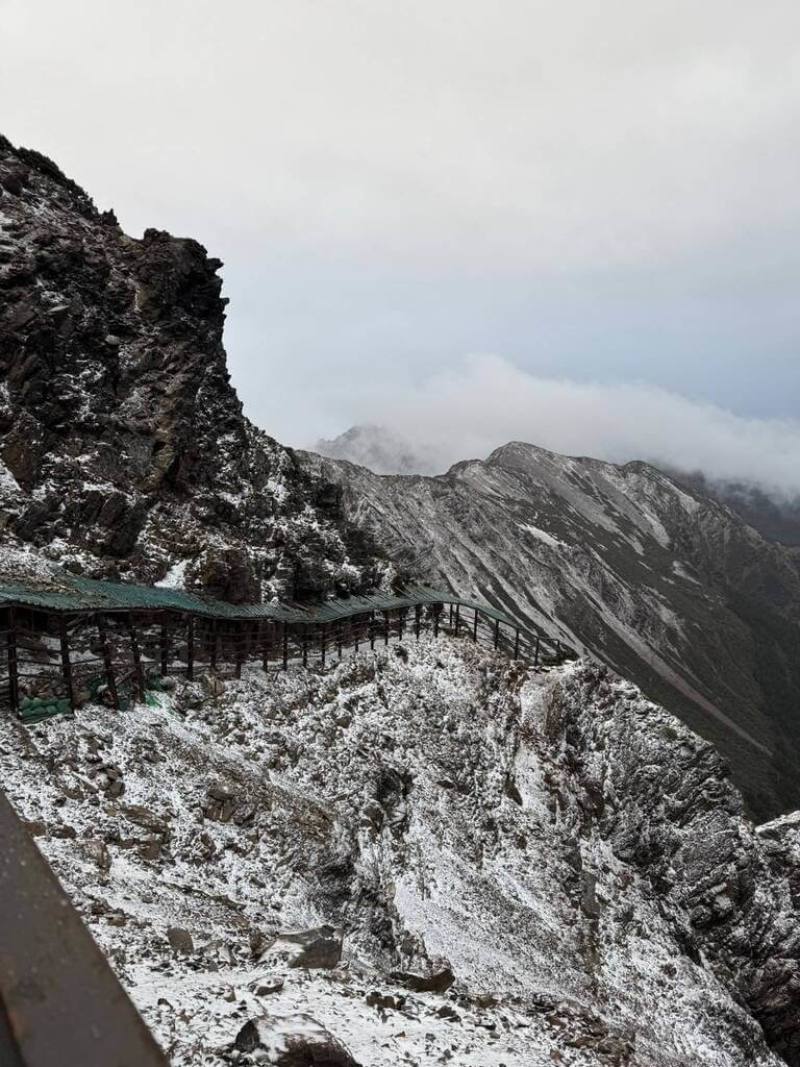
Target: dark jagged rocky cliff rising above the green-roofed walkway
(124,449)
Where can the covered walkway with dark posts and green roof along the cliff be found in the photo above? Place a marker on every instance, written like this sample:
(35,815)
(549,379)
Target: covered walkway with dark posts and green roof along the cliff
(79,641)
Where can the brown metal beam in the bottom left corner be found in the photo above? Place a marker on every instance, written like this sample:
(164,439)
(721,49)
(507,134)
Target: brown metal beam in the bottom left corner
(60,1002)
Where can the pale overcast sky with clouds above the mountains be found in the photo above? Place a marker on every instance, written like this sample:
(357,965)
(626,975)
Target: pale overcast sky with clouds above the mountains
(581,200)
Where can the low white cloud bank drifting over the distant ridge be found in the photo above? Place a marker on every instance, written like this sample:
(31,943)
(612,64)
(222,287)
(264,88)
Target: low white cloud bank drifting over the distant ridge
(489,402)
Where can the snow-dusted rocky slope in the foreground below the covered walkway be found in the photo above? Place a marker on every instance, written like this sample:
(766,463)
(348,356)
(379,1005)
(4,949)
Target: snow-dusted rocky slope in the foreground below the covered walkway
(573,855)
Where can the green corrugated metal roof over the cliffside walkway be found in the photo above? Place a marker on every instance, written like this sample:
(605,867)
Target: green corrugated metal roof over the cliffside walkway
(69,593)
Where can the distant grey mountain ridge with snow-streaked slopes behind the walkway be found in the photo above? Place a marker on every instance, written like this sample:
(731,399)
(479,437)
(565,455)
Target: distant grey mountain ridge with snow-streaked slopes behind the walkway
(665,585)
